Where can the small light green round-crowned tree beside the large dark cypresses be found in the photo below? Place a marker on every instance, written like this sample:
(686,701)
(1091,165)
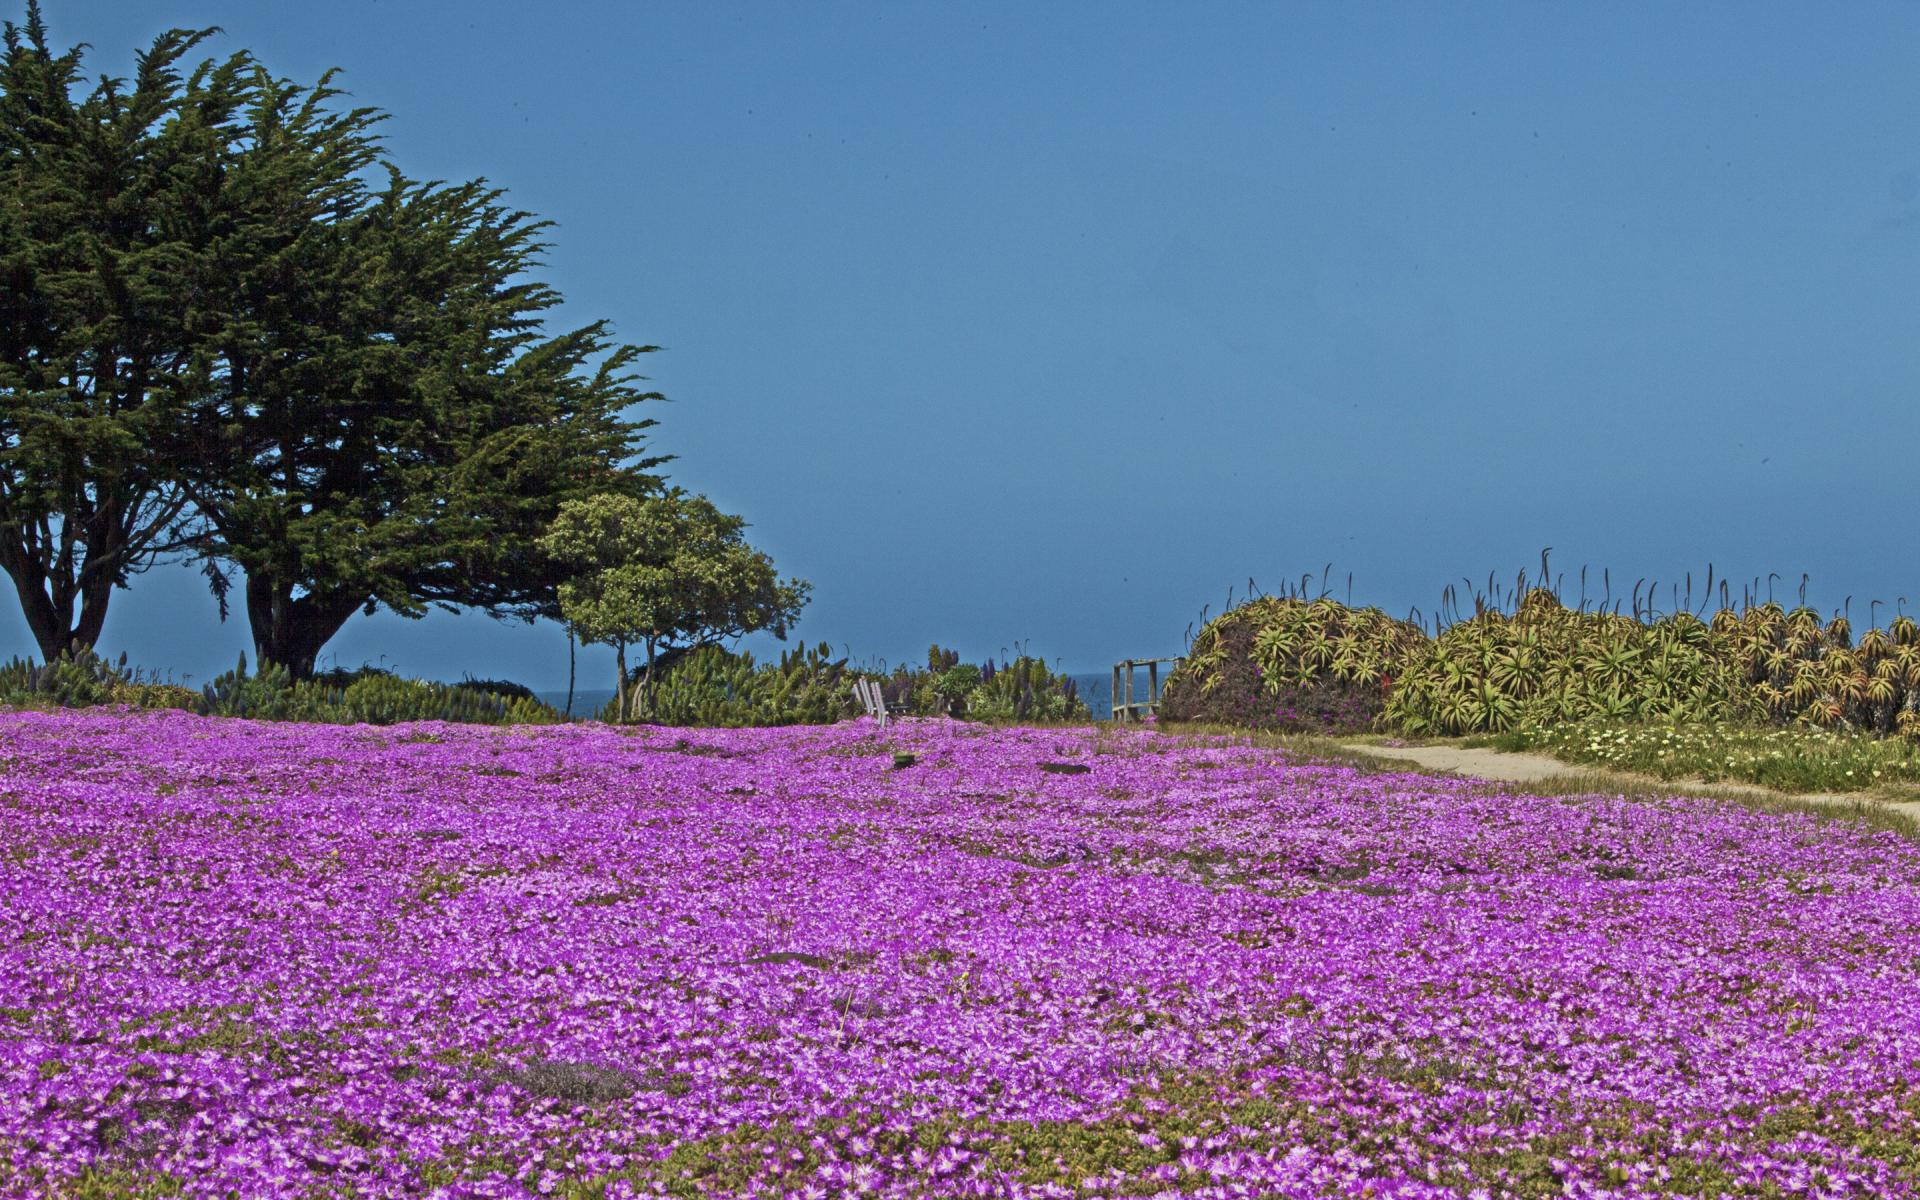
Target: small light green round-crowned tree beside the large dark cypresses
(665,573)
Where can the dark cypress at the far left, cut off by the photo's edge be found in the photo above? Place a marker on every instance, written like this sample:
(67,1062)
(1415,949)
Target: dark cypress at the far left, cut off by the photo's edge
(103,220)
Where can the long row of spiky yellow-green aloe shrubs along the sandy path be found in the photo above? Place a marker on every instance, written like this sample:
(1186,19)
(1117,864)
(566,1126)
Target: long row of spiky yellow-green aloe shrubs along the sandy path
(1320,665)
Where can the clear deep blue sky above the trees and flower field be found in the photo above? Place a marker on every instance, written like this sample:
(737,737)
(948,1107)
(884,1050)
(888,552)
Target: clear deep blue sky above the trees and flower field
(1049,324)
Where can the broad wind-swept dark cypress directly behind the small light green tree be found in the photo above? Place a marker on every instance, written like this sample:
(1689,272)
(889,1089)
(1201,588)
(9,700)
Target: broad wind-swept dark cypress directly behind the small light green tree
(389,423)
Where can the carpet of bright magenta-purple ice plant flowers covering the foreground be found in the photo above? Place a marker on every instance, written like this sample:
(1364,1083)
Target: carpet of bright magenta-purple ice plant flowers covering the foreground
(310,961)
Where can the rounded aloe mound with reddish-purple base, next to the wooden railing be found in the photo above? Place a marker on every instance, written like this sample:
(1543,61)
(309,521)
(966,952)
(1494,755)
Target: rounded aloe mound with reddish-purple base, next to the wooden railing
(1293,665)
